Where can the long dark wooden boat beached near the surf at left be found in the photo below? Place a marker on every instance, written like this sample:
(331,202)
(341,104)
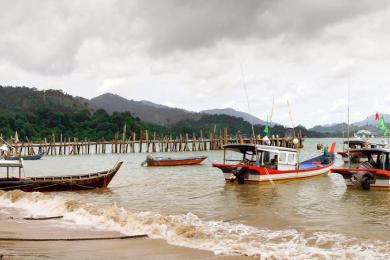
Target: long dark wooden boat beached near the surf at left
(59,183)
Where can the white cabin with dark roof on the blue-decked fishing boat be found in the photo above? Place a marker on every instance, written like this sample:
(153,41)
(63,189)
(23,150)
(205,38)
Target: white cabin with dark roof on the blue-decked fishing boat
(279,158)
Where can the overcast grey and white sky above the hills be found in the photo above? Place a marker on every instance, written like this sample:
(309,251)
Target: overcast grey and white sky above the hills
(201,55)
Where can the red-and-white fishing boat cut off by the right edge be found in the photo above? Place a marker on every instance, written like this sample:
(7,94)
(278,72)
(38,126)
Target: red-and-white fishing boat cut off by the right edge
(373,172)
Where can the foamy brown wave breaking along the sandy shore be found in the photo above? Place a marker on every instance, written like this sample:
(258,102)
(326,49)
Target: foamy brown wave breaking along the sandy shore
(190,231)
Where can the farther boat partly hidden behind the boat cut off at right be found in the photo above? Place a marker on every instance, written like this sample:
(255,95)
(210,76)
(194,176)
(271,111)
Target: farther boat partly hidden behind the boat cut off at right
(352,147)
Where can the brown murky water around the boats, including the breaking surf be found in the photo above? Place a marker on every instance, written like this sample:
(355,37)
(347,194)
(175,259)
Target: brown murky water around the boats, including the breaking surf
(192,206)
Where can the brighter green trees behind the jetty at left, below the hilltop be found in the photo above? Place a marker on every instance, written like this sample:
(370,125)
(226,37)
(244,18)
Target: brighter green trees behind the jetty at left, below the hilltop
(81,124)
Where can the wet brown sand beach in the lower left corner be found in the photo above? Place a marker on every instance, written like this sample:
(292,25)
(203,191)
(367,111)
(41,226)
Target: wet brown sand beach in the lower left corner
(133,248)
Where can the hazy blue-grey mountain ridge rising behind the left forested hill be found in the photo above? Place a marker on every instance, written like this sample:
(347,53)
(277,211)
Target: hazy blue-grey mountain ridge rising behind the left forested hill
(145,110)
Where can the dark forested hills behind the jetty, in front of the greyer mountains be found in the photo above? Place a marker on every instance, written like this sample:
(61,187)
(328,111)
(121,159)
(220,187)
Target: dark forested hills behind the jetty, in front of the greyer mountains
(38,114)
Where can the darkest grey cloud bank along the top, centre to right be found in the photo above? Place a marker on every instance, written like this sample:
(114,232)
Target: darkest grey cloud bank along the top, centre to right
(187,25)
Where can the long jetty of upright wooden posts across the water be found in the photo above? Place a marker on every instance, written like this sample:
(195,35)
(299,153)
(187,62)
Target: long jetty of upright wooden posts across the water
(144,142)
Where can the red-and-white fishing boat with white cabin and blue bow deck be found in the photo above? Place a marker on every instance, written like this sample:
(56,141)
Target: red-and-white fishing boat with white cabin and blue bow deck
(266,164)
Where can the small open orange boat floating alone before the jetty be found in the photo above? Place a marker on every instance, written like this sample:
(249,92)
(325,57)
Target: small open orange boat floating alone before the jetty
(168,161)
